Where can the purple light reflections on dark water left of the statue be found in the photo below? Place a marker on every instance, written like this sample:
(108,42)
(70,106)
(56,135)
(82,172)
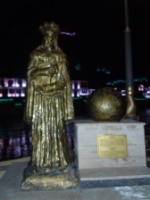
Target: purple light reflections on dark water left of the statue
(15,140)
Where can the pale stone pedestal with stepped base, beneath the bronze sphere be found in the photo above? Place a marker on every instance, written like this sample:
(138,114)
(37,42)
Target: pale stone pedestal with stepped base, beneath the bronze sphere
(99,168)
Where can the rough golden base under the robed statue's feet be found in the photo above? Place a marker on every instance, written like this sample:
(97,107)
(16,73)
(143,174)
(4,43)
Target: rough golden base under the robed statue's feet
(59,180)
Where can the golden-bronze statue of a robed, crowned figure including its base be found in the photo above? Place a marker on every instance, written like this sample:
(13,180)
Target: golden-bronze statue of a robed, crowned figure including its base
(49,106)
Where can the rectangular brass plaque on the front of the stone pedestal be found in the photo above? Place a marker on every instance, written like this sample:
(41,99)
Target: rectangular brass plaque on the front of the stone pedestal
(112,146)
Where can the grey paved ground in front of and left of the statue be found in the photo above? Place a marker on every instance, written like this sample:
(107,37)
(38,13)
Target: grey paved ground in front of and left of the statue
(11,175)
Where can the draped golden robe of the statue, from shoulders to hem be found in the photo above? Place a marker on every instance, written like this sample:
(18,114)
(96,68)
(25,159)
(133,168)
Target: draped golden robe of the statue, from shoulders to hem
(48,106)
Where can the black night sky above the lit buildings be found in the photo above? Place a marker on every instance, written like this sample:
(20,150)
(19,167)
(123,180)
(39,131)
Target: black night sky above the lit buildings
(99,40)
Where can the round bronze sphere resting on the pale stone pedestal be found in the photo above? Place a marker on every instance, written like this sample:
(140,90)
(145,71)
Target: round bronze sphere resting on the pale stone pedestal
(106,104)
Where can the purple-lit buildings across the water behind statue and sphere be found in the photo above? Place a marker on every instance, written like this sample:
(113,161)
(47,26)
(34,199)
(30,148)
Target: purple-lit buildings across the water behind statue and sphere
(16,87)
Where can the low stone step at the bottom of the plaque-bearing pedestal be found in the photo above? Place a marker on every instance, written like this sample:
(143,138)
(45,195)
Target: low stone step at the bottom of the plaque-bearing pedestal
(104,177)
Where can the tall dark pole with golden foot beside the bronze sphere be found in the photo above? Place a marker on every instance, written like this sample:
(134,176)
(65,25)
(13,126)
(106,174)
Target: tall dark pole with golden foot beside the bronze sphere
(130,104)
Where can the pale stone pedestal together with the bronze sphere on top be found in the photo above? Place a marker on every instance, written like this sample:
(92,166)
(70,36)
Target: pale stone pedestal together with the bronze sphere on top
(110,149)
